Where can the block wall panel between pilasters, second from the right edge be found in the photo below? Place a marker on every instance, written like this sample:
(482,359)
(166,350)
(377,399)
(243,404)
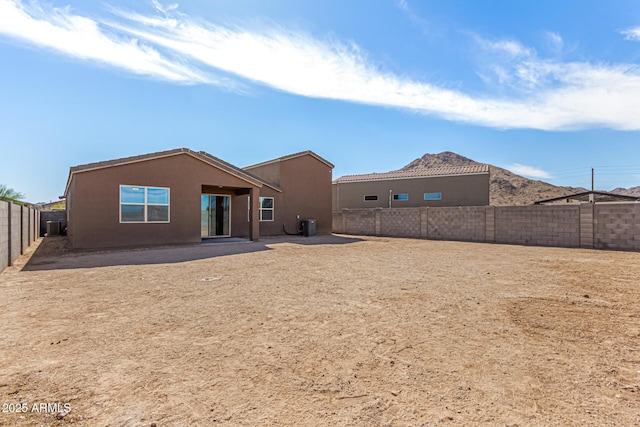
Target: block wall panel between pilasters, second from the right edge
(538,225)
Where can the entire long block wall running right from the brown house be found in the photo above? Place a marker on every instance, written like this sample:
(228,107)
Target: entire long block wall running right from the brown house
(587,225)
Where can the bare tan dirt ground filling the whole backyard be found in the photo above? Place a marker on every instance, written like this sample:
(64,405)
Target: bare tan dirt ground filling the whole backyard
(329,330)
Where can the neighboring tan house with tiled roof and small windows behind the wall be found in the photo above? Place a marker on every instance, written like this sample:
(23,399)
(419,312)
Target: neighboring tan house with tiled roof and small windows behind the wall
(446,186)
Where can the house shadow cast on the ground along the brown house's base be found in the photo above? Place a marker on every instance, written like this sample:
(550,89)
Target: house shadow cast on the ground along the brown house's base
(54,252)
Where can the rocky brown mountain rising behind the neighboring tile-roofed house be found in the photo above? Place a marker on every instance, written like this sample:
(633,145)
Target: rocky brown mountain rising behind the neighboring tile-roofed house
(505,187)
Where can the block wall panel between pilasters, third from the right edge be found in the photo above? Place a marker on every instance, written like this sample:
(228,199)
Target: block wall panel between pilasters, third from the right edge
(459,223)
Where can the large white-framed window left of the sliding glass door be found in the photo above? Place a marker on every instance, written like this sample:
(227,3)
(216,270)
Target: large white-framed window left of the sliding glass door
(144,204)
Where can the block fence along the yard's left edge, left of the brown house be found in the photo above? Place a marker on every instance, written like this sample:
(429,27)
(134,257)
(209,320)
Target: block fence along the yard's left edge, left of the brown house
(19,227)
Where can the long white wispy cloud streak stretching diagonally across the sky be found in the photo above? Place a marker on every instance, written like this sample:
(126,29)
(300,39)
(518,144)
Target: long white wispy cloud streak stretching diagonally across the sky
(174,47)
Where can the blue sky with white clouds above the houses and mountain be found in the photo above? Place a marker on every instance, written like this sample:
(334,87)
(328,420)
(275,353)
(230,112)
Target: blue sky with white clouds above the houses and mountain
(547,89)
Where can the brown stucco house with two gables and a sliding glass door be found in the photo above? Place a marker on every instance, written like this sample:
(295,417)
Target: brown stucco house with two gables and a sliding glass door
(185,196)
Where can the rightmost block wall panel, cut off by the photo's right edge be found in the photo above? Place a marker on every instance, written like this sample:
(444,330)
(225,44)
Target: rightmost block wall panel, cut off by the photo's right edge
(617,226)
